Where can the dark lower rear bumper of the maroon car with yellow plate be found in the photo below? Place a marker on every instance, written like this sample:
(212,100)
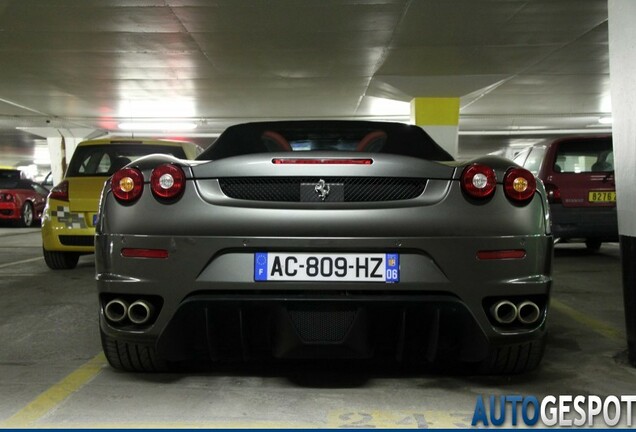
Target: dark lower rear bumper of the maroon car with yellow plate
(584,222)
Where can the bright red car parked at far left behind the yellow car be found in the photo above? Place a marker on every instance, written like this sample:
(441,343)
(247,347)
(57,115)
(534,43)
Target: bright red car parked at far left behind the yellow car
(21,201)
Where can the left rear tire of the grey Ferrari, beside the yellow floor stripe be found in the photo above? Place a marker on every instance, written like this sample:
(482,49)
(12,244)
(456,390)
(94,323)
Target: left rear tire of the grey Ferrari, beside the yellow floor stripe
(132,357)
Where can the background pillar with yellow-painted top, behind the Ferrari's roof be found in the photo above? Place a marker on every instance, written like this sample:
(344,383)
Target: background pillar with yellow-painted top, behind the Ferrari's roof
(439,117)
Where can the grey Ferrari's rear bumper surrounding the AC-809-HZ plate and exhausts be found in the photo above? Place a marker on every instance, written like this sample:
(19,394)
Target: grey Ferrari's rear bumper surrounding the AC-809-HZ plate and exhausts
(207,304)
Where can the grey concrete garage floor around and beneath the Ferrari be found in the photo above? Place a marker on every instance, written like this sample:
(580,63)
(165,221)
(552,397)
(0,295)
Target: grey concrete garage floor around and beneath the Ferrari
(52,372)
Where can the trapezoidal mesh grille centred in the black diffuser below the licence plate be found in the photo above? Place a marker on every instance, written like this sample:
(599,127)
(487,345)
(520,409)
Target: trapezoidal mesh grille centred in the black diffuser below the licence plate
(322,326)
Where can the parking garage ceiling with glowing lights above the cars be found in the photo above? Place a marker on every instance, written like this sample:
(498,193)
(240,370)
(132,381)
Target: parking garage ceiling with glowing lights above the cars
(82,67)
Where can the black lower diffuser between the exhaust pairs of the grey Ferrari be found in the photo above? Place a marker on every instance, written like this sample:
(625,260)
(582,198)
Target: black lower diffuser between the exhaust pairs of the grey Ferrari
(421,327)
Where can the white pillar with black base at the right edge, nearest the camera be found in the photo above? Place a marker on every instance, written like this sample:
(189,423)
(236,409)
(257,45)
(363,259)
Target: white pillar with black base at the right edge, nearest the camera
(622,49)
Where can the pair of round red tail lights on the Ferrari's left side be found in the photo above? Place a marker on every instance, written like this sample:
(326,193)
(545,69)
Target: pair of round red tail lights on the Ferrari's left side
(167,182)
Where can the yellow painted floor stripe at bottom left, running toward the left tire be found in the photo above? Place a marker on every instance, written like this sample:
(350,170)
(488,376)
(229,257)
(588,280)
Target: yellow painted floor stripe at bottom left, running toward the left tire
(54,396)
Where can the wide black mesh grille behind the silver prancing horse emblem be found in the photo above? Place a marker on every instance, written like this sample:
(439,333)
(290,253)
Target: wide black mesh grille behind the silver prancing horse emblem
(288,189)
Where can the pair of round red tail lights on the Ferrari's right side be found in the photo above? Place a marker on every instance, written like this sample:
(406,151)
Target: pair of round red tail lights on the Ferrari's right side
(480,181)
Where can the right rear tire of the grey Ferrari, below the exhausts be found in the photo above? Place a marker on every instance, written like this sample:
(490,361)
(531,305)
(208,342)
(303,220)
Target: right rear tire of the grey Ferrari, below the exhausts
(513,359)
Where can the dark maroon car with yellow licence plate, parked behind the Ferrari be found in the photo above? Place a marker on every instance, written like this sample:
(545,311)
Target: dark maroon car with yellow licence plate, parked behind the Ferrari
(578,174)
